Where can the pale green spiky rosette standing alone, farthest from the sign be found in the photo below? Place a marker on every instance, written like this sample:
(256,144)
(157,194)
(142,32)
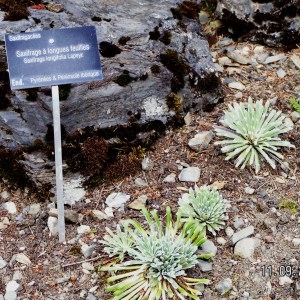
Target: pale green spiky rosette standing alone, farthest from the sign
(251,134)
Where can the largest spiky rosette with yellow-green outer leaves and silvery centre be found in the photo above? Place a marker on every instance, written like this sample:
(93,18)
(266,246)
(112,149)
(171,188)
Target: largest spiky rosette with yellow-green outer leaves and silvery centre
(154,267)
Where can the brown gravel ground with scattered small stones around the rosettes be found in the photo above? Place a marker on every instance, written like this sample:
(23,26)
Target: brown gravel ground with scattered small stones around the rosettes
(39,267)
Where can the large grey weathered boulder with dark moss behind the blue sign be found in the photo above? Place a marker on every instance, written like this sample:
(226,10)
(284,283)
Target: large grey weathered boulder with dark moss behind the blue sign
(156,66)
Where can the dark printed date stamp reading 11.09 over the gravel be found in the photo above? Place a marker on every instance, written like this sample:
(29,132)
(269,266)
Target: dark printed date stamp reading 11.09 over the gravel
(280,271)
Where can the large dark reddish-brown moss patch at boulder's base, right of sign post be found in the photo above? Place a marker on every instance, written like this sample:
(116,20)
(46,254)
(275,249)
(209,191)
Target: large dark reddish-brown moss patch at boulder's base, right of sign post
(101,154)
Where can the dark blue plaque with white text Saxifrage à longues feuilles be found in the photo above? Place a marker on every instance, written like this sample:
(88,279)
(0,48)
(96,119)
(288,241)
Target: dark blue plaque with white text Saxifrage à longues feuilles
(53,57)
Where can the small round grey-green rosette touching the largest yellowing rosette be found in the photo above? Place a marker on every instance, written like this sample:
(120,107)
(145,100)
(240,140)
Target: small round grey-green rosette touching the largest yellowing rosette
(206,206)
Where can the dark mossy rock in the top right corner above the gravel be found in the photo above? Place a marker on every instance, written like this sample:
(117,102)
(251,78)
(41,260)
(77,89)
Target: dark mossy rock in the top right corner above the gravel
(274,23)
